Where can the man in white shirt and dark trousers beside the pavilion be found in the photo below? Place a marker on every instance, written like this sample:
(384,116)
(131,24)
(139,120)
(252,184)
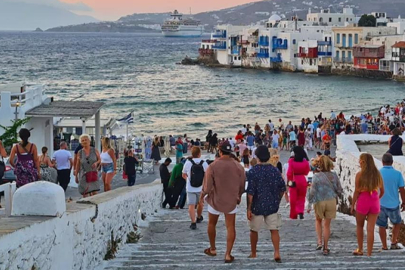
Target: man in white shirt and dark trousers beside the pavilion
(63,160)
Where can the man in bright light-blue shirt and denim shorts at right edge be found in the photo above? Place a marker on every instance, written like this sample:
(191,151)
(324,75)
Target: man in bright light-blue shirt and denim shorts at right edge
(390,205)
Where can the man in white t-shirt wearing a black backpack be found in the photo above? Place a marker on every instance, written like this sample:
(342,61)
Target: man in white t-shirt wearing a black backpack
(194,171)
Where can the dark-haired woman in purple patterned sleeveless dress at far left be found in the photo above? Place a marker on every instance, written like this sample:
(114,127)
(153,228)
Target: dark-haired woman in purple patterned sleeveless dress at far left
(26,168)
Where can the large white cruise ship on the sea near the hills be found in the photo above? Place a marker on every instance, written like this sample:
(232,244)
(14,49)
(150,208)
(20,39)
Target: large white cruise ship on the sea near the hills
(177,27)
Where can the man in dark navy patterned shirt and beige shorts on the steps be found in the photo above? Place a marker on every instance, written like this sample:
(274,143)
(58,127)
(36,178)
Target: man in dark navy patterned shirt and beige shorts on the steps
(265,190)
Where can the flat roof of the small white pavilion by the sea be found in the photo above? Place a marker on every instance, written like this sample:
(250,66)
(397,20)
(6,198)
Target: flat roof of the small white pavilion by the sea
(66,109)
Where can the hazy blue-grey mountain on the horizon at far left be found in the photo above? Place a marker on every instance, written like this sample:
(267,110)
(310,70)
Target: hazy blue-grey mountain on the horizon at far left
(26,16)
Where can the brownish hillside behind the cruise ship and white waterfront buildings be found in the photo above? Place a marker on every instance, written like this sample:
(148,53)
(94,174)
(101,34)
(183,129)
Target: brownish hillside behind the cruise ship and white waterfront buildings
(256,12)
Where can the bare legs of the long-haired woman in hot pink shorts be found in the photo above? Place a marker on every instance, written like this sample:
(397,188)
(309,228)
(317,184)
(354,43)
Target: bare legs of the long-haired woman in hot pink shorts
(371,221)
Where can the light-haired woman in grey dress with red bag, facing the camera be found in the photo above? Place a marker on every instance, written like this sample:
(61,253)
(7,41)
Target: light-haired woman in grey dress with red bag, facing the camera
(86,169)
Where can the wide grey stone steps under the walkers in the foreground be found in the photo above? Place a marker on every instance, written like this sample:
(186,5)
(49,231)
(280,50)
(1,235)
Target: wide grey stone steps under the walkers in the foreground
(168,243)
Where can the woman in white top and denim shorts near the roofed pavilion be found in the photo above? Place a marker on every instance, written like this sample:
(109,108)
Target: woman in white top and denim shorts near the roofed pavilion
(108,163)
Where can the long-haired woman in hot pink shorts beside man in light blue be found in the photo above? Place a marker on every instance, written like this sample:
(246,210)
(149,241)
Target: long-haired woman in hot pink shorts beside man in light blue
(369,188)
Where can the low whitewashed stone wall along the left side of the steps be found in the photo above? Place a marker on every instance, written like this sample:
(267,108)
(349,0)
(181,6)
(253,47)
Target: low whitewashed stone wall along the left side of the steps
(73,241)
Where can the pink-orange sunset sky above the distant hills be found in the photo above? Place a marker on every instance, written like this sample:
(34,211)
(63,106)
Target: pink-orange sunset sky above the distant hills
(114,9)
